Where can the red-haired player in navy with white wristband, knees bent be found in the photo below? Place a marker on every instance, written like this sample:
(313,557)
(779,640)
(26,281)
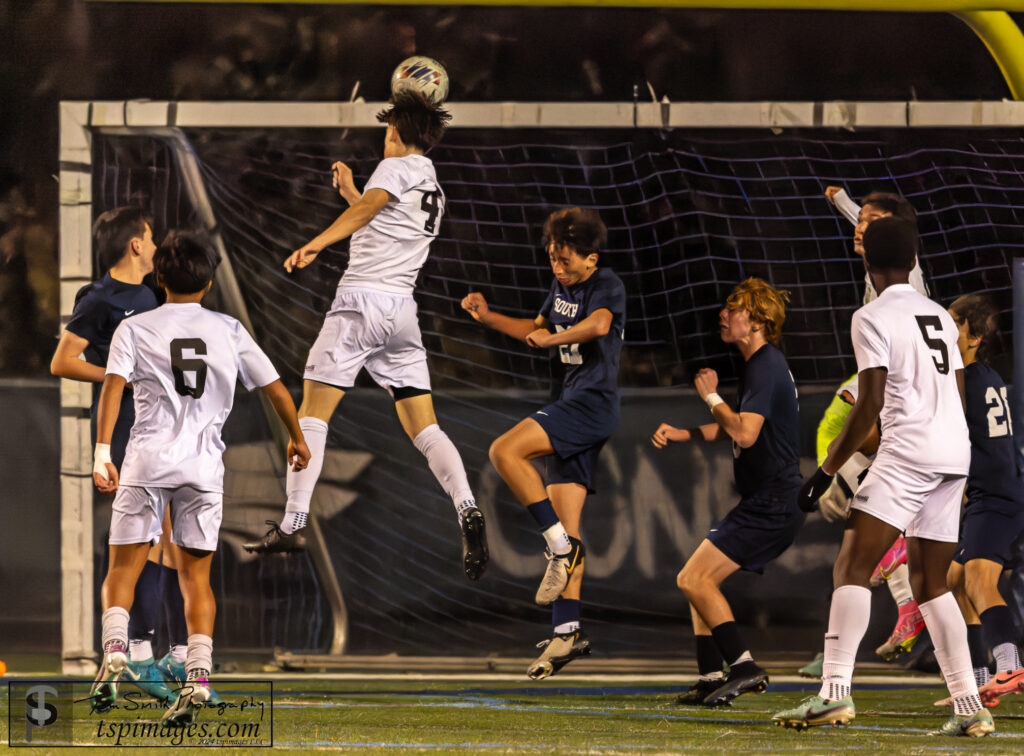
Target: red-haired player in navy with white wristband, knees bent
(765,436)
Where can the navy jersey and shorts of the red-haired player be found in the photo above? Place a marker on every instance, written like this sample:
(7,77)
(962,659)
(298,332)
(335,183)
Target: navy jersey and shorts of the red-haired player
(767,519)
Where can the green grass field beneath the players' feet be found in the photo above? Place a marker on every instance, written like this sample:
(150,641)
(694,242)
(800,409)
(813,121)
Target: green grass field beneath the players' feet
(577,716)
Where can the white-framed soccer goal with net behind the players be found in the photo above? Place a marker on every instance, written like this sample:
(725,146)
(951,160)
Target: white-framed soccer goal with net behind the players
(697,198)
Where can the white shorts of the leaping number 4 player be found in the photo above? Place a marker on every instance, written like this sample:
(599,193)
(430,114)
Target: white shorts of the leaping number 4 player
(371,329)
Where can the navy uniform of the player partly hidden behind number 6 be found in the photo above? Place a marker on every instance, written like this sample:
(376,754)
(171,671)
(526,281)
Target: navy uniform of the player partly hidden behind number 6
(100,308)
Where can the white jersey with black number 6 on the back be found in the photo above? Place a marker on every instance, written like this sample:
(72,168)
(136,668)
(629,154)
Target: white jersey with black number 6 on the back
(184,362)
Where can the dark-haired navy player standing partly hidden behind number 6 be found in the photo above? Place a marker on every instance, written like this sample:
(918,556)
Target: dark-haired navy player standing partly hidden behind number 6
(124,248)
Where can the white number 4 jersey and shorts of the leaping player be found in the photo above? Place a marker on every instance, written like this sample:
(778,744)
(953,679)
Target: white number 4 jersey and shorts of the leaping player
(373,320)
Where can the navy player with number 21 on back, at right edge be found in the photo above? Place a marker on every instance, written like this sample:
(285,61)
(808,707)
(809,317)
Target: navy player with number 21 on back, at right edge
(994,518)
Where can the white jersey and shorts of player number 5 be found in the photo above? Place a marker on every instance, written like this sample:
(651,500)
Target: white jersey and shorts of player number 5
(917,480)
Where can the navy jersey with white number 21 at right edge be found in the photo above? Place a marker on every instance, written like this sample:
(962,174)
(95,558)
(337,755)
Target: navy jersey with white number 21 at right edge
(995,474)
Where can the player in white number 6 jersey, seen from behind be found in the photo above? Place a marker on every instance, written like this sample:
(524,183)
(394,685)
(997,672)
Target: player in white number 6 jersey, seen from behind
(184,362)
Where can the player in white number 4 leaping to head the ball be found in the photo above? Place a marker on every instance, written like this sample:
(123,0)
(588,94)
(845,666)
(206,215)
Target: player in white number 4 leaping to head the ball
(373,324)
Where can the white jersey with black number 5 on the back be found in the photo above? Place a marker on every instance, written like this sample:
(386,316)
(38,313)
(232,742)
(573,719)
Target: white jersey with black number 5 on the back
(915,340)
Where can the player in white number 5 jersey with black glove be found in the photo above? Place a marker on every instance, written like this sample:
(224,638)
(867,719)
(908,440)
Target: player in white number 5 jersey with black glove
(911,374)
